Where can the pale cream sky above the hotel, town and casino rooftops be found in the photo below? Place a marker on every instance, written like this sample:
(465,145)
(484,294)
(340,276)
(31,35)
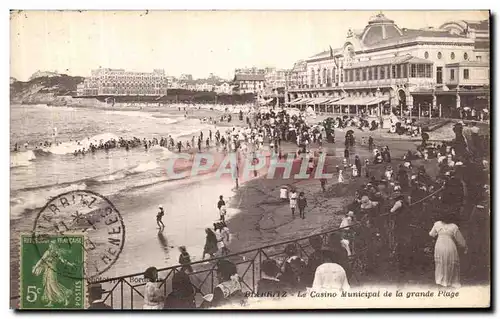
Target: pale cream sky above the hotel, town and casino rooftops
(191,42)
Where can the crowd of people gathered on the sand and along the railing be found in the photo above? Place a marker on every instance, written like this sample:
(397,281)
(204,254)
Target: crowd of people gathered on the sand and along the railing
(380,223)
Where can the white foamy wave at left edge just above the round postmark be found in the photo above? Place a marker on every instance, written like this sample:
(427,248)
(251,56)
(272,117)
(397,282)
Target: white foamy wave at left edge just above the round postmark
(29,199)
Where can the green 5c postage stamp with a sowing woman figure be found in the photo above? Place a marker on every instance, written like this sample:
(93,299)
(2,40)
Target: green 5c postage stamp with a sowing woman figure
(52,272)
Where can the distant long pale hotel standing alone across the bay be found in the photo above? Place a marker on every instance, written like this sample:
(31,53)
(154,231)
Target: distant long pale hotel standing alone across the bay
(118,82)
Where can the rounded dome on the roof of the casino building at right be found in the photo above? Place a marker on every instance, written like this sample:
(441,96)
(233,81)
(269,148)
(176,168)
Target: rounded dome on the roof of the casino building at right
(379,28)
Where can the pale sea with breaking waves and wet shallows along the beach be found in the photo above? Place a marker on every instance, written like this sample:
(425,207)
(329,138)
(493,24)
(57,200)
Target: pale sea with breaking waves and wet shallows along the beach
(134,180)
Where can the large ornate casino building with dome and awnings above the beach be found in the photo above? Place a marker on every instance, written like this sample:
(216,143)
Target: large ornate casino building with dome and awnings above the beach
(386,68)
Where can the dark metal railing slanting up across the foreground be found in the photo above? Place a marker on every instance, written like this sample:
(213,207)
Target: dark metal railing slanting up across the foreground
(125,292)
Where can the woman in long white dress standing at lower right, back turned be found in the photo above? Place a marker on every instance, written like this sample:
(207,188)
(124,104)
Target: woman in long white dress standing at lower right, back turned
(446,258)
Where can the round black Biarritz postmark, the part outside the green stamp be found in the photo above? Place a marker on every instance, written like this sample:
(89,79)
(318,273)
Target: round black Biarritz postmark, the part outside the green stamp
(89,213)
